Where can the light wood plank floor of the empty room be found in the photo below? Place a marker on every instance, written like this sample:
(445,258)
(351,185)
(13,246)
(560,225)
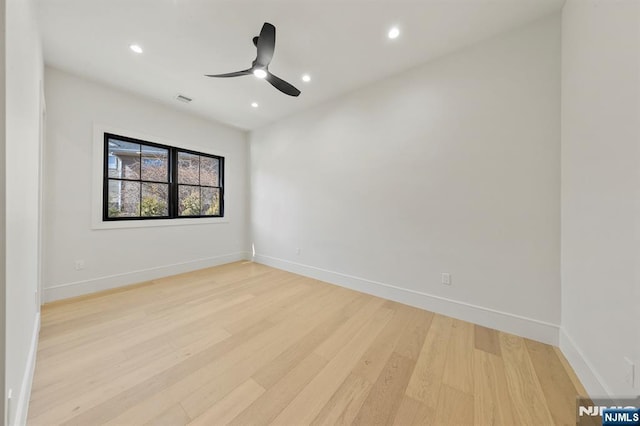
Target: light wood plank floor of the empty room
(246,344)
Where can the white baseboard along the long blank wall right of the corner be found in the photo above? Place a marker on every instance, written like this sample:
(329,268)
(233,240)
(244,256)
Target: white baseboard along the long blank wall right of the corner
(511,323)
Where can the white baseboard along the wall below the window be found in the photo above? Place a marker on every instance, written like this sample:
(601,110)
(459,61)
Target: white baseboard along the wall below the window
(79,288)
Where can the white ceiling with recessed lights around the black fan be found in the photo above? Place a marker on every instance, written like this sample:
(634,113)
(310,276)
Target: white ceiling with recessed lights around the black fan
(341,44)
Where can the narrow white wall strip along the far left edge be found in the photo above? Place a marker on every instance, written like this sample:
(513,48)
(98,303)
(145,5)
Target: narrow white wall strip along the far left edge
(23,82)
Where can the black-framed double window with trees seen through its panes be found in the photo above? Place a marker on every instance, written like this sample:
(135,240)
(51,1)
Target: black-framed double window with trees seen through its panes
(145,180)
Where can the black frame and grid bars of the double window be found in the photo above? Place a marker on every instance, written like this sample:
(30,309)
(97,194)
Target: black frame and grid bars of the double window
(172,163)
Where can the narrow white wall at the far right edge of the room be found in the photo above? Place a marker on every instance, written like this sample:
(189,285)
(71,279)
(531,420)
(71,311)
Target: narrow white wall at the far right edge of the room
(600,198)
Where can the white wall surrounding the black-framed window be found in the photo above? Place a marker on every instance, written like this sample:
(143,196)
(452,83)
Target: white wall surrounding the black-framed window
(115,257)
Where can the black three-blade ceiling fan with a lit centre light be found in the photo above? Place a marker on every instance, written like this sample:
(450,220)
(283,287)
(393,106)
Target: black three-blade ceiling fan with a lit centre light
(265,44)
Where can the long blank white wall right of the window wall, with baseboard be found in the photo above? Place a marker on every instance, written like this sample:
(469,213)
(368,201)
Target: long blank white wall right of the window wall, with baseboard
(449,167)
